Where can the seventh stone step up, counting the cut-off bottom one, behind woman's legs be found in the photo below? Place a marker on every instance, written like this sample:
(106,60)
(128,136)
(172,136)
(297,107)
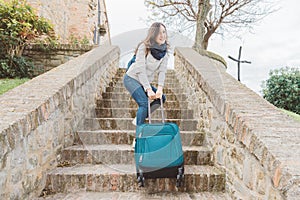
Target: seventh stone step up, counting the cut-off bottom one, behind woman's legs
(130,103)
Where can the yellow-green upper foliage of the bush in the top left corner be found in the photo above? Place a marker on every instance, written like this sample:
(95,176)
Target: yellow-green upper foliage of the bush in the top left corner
(19,26)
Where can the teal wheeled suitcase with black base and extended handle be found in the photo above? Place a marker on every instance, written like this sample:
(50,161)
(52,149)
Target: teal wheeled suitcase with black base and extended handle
(158,152)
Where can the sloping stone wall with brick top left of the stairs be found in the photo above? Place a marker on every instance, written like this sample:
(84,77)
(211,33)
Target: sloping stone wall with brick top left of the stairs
(39,118)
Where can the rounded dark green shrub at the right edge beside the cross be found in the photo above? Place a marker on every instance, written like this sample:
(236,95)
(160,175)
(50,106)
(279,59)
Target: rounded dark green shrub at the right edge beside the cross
(282,89)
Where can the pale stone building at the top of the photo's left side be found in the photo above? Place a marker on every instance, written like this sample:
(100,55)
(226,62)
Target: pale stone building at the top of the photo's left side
(76,20)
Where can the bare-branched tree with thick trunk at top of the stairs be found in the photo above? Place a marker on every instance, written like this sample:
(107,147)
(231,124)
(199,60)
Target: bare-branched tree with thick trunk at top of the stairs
(209,16)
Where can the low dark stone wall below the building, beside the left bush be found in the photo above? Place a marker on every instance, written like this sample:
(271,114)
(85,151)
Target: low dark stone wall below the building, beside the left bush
(46,58)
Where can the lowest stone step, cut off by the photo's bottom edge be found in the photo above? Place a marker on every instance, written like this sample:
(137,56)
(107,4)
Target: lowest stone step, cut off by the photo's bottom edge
(142,194)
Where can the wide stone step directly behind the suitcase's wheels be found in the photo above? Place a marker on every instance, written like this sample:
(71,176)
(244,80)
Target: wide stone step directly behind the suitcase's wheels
(122,178)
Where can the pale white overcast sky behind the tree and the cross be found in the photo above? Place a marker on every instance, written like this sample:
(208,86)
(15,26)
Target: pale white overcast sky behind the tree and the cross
(274,44)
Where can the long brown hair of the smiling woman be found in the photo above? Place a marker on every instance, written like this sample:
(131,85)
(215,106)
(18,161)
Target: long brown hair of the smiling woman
(152,34)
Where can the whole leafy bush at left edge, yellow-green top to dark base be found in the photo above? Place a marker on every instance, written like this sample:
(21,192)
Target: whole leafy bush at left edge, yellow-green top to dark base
(19,26)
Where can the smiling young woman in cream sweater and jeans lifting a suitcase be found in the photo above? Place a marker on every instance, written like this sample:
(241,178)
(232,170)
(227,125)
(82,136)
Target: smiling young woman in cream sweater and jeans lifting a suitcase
(151,58)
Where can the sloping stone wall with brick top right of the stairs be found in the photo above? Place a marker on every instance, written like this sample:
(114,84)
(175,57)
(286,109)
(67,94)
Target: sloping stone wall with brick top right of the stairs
(255,143)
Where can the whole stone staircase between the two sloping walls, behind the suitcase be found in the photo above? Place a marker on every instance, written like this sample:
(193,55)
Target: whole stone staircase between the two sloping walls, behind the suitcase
(101,161)
